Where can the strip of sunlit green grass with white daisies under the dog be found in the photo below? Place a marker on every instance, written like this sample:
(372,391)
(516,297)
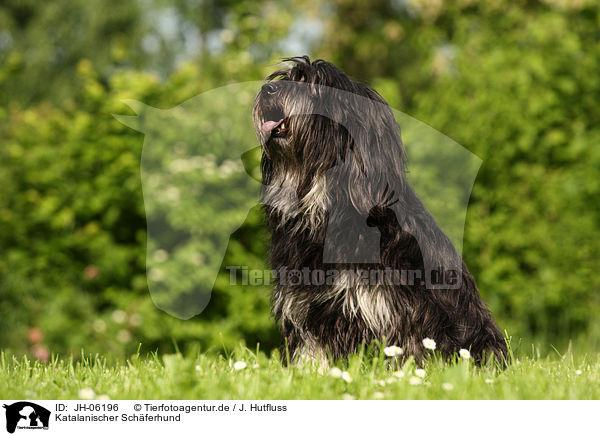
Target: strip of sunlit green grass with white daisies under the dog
(211,376)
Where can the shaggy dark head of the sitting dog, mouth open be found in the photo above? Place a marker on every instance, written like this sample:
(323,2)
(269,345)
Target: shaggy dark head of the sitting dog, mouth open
(310,117)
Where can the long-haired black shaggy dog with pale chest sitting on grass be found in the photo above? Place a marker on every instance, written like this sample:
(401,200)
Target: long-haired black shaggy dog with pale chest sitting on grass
(358,257)
